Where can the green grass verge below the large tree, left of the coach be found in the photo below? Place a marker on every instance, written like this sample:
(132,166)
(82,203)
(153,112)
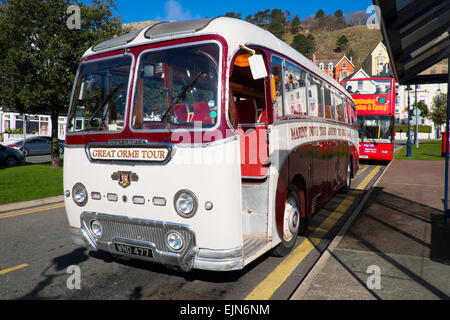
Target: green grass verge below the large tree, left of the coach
(30,182)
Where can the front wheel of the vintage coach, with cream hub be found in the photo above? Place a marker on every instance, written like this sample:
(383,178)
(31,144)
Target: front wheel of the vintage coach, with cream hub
(293,224)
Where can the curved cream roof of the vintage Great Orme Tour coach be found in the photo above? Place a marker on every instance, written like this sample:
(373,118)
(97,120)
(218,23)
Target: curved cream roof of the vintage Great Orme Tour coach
(235,31)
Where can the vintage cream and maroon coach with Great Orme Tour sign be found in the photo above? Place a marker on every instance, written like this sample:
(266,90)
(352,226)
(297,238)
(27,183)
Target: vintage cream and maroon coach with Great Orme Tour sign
(202,144)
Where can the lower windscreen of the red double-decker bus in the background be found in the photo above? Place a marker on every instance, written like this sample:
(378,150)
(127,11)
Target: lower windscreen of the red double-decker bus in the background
(376,128)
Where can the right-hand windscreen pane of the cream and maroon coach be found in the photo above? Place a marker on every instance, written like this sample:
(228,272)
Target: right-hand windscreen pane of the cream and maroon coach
(177,87)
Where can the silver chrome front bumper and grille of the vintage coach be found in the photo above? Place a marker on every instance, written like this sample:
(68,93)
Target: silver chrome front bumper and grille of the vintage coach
(147,240)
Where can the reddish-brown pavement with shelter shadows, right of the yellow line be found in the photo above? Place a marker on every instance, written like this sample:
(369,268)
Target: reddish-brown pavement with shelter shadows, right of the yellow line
(395,248)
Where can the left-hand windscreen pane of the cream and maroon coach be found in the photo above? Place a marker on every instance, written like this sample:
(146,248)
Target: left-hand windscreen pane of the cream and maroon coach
(100,95)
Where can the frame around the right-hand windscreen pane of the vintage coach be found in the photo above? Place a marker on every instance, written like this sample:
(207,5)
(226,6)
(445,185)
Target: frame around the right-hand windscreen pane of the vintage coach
(220,85)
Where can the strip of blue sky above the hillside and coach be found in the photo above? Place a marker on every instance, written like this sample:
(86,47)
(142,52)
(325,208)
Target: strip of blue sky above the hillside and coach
(142,10)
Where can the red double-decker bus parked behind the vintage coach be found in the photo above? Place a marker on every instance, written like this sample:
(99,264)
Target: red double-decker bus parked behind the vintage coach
(375,107)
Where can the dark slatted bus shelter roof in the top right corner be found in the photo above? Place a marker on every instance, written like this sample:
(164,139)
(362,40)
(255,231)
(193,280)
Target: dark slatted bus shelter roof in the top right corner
(416,34)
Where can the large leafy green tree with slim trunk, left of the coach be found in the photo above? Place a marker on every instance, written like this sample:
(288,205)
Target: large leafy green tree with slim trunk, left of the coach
(39,53)
